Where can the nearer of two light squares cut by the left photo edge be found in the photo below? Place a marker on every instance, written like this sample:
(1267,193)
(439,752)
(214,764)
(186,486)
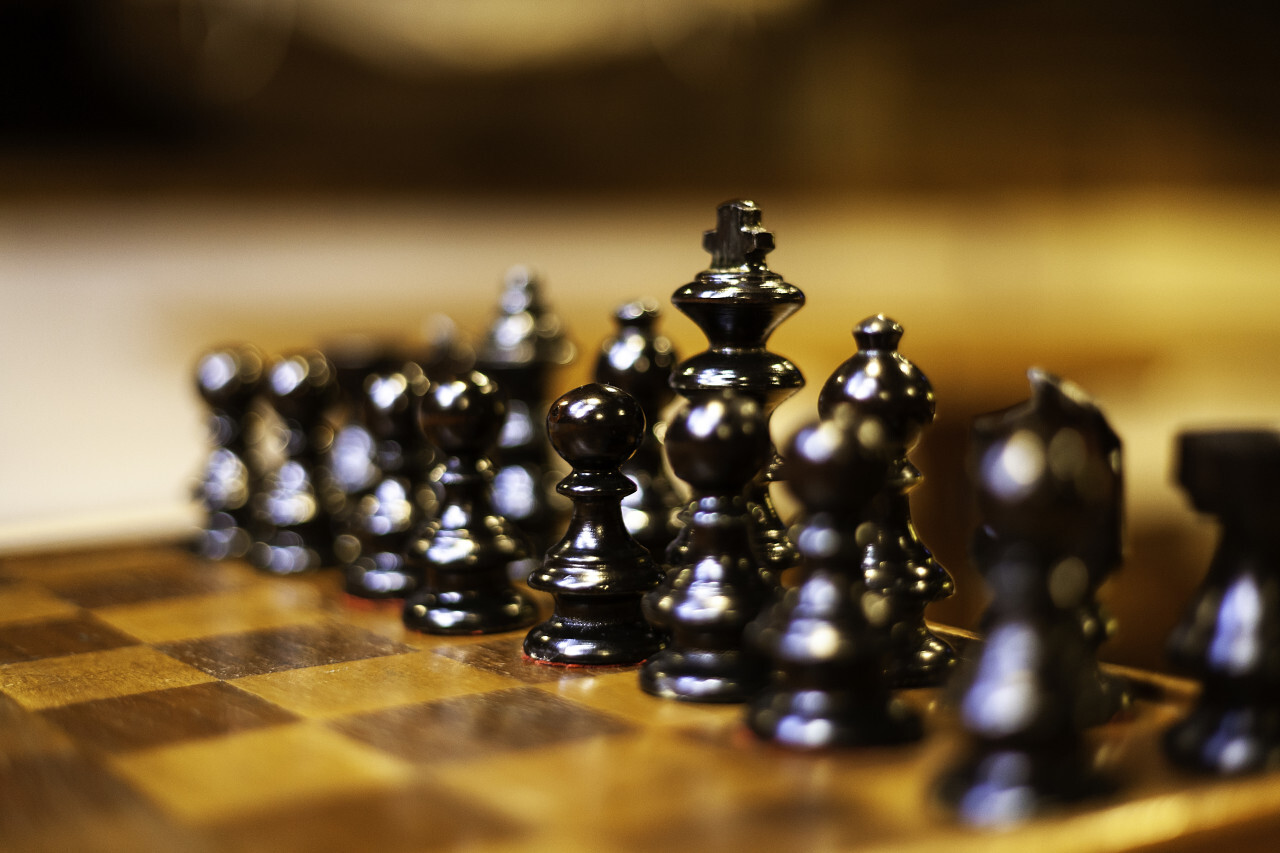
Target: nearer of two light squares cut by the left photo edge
(95,676)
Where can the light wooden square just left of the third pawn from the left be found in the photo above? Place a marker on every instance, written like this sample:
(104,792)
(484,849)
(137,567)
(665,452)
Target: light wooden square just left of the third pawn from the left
(254,608)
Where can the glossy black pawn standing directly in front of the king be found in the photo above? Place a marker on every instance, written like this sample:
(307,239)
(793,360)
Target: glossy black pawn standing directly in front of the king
(706,601)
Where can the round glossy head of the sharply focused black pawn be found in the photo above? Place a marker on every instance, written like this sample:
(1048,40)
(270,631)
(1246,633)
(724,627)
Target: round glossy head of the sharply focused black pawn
(596,427)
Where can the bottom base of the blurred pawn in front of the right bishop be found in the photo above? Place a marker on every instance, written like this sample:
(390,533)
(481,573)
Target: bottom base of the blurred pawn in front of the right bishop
(821,719)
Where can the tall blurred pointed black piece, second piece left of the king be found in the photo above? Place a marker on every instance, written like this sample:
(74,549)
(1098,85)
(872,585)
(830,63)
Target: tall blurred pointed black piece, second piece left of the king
(525,344)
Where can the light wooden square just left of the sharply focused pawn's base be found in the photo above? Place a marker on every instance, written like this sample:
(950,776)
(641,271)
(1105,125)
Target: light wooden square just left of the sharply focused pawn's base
(371,685)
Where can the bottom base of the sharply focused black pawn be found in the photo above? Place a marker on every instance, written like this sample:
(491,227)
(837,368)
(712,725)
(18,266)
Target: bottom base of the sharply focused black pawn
(577,642)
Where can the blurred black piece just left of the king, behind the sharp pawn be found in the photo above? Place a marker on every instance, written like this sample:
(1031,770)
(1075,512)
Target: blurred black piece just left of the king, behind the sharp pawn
(639,362)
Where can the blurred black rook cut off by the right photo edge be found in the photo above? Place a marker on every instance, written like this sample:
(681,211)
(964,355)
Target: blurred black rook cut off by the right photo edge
(1231,637)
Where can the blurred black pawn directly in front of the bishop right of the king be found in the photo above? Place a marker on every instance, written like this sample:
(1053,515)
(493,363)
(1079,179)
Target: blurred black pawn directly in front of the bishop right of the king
(825,638)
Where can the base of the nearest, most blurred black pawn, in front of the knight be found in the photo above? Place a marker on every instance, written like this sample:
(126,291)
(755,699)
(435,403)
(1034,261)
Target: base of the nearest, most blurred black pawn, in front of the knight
(1005,787)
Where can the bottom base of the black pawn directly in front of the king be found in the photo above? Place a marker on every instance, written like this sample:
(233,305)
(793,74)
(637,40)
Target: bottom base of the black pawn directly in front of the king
(703,677)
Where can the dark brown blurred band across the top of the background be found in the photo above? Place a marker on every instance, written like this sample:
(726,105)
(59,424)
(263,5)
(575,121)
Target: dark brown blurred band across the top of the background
(879,95)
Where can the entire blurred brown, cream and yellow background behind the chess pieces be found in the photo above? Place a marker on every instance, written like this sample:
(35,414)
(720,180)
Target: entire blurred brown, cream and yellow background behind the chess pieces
(1089,188)
